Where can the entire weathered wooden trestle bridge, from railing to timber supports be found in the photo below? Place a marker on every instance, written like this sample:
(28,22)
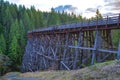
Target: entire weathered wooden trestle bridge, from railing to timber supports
(71,46)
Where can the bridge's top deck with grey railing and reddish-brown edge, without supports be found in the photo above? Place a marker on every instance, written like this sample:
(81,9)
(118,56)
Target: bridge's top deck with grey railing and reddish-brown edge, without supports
(112,22)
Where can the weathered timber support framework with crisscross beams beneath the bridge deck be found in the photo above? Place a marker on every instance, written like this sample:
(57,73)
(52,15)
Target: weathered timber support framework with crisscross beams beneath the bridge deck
(67,51)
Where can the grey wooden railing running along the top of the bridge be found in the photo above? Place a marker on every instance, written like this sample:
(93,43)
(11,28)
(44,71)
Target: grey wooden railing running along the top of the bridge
(88,23)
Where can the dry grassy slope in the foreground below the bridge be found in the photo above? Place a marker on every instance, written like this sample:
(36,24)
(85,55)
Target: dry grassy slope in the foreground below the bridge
(100,71)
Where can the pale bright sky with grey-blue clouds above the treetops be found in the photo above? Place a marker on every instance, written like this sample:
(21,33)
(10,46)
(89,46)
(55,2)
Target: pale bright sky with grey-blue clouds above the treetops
(85,8)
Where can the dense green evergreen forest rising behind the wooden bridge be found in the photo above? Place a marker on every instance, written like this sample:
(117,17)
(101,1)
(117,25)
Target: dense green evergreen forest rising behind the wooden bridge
(16,21)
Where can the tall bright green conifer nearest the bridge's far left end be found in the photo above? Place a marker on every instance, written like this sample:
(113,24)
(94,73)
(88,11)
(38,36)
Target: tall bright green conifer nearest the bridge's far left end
(14,48)
